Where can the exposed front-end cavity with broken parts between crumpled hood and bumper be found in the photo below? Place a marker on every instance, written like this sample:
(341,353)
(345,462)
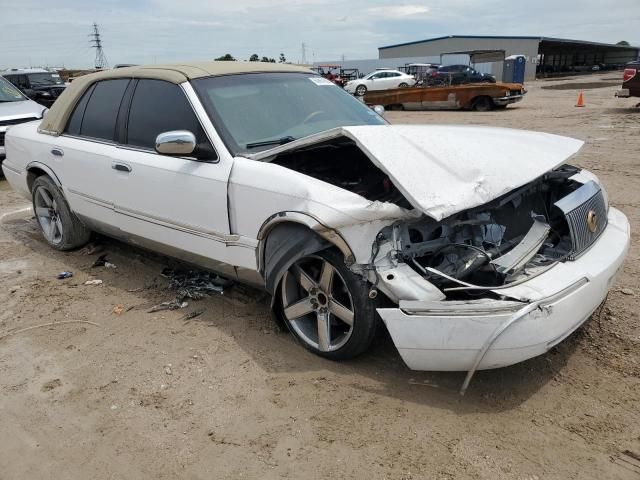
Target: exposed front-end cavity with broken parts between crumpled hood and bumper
(505,241)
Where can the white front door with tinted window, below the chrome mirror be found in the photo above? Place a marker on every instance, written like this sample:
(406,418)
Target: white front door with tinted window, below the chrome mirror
(178,204)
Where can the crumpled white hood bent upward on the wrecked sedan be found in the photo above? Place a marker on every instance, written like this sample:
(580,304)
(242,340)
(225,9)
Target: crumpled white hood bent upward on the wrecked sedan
(443,169)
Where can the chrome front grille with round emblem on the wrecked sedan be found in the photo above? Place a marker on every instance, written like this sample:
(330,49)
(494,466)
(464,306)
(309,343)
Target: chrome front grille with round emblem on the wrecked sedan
(578,207)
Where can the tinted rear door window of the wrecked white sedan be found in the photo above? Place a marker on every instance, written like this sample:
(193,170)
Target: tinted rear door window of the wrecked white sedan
(101,112)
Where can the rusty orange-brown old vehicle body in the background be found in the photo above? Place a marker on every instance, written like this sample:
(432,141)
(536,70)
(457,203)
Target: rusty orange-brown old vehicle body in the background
(476,96)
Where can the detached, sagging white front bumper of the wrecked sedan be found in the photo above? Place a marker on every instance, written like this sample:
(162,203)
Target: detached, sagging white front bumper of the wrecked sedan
(484,334)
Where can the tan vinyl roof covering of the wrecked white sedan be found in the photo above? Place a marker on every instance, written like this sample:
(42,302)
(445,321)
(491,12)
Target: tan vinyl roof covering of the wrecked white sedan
(56,118)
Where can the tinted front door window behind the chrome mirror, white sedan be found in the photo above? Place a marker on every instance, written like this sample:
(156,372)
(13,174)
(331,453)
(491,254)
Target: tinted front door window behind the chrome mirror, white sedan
(158,107)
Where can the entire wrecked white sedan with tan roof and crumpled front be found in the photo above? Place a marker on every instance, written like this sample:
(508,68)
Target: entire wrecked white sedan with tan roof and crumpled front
(478,247)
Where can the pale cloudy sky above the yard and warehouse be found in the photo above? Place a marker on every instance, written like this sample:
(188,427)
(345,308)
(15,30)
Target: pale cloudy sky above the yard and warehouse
(45,33)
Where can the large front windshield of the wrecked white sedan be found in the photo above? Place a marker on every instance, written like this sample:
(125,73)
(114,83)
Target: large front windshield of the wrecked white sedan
(254,112)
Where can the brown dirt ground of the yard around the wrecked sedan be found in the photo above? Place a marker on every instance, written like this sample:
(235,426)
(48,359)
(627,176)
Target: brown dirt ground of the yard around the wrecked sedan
(228,395)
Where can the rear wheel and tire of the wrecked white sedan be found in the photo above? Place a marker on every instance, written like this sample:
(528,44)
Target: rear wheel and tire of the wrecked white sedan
(60,227)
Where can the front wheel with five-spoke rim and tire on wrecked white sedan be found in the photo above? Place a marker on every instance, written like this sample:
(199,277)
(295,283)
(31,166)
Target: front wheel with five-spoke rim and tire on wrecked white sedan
(327,307)
